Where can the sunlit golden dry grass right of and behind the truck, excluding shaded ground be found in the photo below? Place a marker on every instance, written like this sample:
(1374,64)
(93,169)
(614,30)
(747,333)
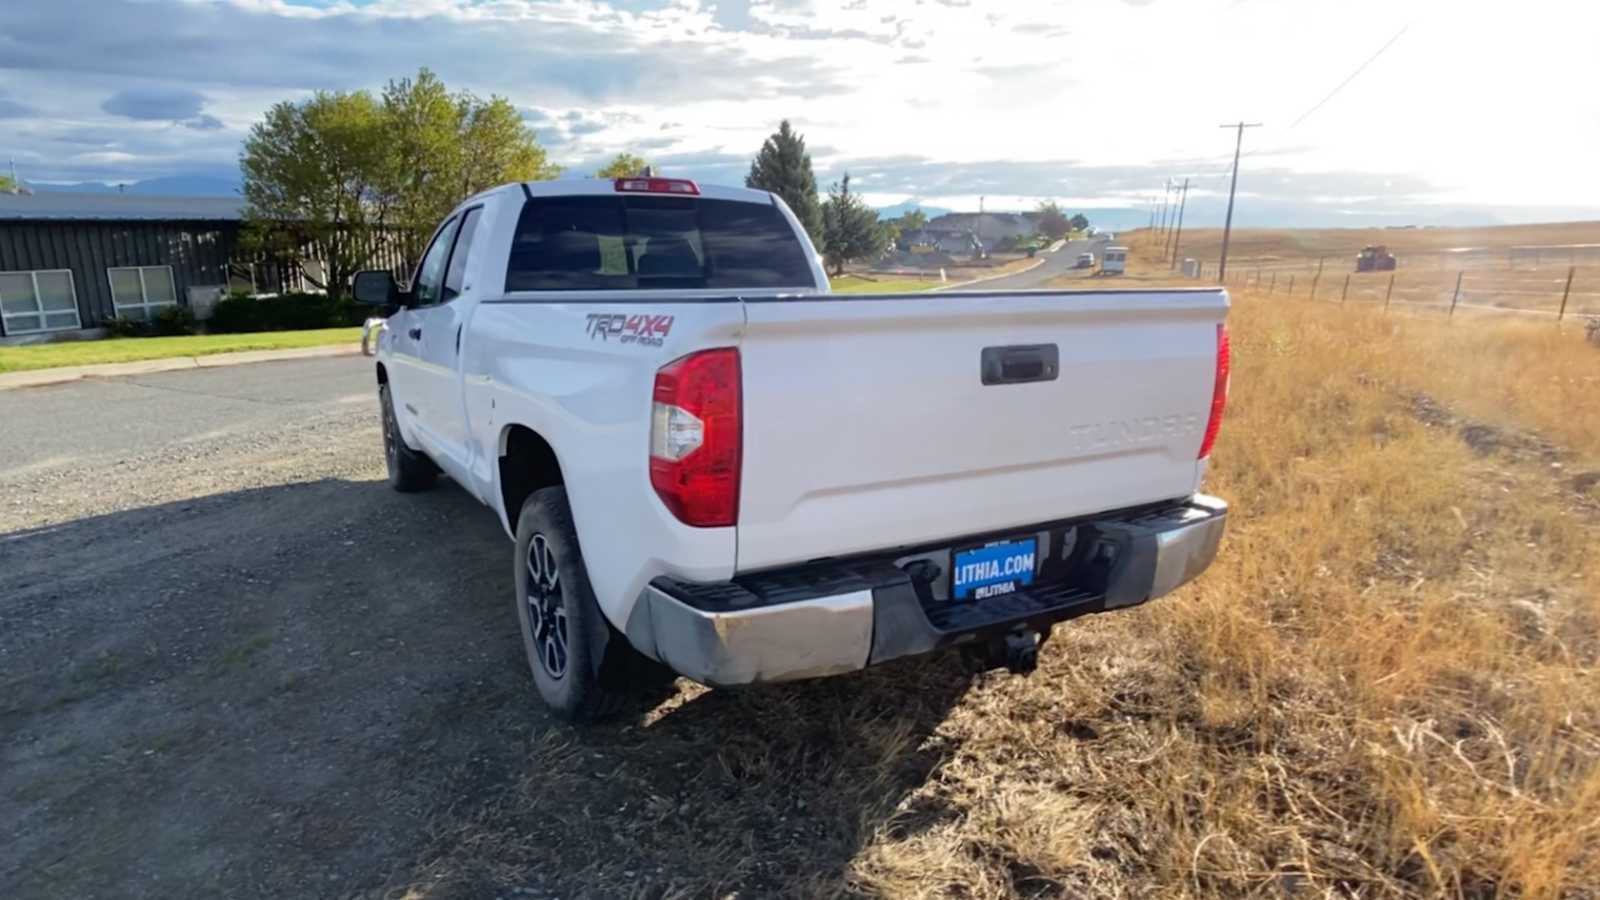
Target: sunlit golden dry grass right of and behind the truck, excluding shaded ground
(1388,685)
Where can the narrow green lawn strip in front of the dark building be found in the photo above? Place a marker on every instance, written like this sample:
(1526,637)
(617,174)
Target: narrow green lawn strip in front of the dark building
(130,350)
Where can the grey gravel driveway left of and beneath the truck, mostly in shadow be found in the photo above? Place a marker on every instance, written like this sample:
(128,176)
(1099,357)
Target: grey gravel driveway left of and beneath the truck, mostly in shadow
(234,664)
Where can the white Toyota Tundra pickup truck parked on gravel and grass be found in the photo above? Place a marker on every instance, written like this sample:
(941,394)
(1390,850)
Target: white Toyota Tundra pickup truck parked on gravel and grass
(711,464)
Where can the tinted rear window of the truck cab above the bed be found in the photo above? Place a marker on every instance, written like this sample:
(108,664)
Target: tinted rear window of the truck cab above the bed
(654,243)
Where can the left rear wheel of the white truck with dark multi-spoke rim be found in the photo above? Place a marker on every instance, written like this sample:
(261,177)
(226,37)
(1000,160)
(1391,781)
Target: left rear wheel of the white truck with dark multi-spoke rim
(583,669)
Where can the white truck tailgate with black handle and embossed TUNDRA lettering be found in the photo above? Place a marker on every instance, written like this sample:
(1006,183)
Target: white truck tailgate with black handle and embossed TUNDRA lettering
(870,425)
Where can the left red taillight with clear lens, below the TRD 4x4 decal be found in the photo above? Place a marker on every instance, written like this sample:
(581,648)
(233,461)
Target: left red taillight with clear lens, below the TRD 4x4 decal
(695,438)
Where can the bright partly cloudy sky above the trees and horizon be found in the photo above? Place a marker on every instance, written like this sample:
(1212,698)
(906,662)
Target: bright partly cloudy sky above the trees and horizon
(1476,113)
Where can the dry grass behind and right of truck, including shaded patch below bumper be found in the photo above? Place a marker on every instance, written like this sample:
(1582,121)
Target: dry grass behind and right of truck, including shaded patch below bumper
(1388,686)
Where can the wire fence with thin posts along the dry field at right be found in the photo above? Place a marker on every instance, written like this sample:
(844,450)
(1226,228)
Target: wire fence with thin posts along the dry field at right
(1524,289)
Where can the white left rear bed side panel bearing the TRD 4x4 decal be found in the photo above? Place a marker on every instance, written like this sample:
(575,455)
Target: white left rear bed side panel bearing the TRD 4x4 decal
(582,377)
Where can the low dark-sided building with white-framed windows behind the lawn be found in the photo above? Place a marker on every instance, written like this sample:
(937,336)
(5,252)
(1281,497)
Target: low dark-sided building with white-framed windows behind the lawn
(73,262)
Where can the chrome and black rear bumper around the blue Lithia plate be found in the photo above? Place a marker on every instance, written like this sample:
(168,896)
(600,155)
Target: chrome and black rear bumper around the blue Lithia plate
(836,617)
